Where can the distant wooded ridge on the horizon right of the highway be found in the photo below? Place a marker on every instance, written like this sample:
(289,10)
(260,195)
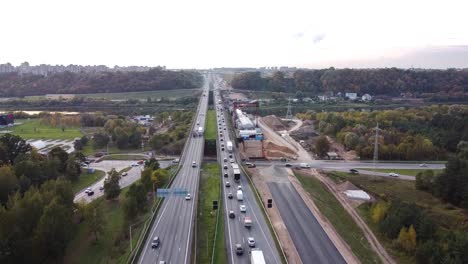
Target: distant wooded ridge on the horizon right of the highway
(388,81)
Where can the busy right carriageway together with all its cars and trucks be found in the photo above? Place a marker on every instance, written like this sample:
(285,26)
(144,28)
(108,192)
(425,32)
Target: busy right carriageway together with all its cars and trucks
(246,227)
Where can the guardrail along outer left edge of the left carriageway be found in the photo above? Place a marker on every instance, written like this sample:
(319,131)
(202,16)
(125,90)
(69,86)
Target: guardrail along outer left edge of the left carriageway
(144,235)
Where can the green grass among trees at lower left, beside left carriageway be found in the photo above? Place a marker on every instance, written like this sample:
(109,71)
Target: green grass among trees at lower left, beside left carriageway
(113,245)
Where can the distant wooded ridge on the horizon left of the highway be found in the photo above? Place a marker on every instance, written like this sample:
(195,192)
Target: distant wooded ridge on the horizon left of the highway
(17,85)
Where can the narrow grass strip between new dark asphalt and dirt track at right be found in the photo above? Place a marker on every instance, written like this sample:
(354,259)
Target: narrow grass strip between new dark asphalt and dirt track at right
(340,219)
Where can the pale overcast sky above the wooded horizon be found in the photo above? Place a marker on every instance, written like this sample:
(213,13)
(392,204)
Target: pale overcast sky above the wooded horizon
(249,33)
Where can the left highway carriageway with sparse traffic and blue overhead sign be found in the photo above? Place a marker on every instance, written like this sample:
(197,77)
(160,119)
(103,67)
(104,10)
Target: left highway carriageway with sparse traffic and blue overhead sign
(174,222)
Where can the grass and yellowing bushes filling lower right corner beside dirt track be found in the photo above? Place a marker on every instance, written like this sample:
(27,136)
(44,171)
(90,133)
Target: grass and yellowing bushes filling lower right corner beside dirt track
(421,221)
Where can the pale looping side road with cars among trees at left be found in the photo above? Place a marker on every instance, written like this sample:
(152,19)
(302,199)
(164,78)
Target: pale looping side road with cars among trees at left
(134,174)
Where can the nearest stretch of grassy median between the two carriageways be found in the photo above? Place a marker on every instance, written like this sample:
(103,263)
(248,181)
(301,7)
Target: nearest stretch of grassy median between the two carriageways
(206,219)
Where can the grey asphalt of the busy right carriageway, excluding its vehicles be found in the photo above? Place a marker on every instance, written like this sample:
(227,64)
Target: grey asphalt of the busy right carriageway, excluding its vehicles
(235,231)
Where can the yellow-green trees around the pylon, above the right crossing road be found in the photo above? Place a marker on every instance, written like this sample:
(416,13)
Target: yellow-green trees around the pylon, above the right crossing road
(425,133)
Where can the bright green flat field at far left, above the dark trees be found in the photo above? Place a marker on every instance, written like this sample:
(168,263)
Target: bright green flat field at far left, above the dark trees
(26,130)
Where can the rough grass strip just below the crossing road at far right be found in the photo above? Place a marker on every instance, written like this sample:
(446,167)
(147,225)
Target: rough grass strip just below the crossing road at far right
(444,215)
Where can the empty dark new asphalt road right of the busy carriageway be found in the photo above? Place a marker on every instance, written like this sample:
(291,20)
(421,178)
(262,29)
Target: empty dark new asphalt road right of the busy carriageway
(310,240)
